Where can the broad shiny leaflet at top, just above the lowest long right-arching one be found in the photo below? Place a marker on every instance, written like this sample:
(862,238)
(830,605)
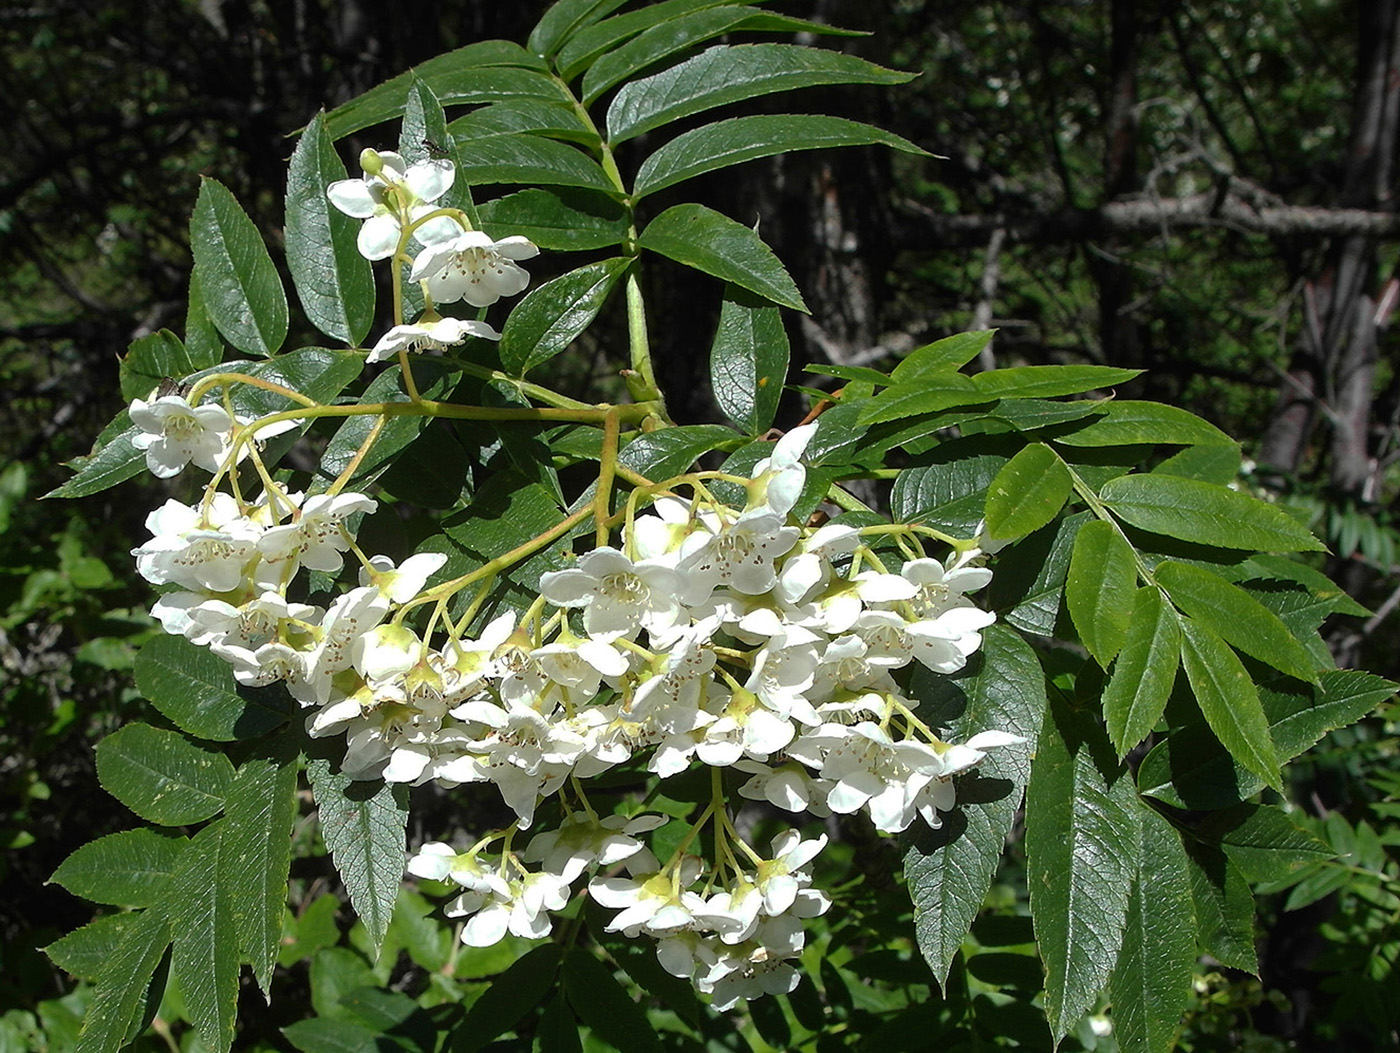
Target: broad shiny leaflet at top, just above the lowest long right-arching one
(731,74)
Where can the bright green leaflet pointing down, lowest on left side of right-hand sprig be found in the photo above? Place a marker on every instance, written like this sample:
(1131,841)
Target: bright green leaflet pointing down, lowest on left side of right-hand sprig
(1144,673)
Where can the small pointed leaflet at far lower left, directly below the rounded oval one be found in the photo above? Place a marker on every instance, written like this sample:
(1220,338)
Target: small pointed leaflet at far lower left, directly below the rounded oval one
(132,869)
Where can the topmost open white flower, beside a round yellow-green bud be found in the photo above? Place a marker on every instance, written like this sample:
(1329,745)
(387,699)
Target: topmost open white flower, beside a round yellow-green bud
(387,193)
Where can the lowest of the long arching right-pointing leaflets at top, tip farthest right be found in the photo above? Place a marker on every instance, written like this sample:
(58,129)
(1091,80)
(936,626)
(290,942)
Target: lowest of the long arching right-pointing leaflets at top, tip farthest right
(737,141)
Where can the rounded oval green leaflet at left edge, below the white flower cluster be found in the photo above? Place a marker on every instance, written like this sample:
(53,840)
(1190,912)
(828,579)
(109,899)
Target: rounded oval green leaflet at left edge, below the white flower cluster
(163,776)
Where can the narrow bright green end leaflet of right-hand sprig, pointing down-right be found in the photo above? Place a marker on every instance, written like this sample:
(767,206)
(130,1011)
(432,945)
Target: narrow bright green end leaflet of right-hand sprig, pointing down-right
(1228,701)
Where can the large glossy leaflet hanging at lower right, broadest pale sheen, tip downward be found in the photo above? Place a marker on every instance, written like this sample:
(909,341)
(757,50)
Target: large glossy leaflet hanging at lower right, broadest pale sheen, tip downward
(1083,853)
